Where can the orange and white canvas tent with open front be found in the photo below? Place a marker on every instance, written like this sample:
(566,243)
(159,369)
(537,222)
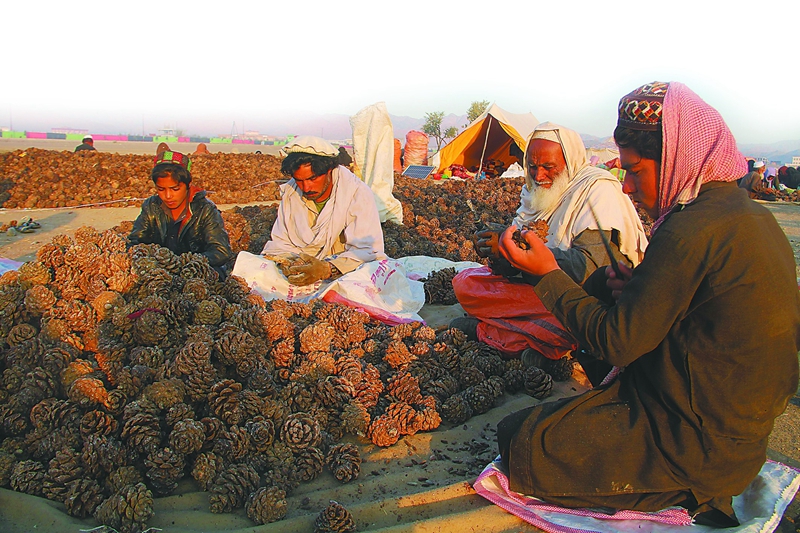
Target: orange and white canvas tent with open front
(488,137)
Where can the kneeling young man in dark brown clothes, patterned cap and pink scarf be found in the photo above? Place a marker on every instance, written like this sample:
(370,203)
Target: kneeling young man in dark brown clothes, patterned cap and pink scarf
(687,421)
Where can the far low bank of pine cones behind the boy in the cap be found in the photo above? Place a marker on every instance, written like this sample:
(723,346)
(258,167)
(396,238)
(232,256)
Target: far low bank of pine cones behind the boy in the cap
(47,178)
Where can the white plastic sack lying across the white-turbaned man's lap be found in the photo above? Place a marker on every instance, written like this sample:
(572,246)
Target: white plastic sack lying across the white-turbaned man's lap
(379,288)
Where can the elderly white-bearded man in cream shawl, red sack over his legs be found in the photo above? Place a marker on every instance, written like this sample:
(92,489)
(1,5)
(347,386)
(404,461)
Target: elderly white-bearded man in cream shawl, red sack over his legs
(562,189)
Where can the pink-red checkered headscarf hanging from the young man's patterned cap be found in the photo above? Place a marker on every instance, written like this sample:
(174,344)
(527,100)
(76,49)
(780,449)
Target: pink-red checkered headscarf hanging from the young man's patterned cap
(697,148)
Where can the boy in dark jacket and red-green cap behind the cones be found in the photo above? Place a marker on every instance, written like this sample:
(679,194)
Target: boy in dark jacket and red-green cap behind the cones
(179,216)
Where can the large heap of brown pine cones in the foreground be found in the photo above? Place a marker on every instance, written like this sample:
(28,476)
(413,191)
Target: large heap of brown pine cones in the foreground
(124,371)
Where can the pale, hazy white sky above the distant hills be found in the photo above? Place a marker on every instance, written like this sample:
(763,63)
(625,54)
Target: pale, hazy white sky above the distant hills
(166,63)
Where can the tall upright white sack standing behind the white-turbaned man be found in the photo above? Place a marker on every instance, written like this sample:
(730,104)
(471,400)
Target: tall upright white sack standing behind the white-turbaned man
(373,149)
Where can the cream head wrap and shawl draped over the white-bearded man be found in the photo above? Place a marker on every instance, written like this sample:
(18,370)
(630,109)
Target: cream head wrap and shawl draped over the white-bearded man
(588,185)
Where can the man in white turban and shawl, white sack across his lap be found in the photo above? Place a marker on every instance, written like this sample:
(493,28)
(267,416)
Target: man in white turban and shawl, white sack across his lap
(327,241)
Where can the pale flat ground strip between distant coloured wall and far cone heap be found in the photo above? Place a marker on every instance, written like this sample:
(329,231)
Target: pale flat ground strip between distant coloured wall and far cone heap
(132,147)
